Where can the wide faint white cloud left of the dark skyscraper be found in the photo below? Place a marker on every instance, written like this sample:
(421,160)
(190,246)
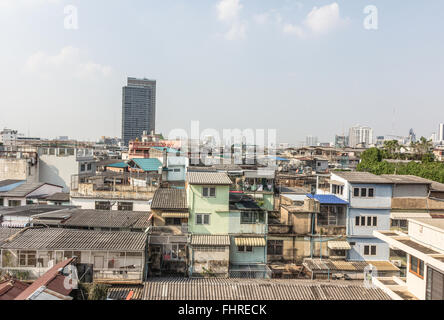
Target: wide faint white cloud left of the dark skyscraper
(69,62)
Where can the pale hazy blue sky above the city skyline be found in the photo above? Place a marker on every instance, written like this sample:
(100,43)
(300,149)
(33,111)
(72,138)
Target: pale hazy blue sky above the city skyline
(301,67)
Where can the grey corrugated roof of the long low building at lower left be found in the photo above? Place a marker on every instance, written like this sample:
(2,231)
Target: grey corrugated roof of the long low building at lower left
(69,239)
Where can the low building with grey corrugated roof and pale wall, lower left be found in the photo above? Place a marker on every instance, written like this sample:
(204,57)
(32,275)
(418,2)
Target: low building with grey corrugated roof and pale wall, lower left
(113,256)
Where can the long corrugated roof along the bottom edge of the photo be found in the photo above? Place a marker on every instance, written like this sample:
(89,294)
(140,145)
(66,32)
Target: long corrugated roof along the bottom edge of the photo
(257,289)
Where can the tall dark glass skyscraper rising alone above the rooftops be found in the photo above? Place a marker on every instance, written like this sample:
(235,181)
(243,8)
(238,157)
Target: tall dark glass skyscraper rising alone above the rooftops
(138,108)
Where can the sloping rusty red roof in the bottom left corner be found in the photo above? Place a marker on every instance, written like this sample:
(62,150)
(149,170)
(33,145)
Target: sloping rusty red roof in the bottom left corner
(52,280)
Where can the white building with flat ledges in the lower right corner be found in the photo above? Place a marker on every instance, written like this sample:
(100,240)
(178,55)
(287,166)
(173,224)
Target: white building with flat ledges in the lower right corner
(424,247)
